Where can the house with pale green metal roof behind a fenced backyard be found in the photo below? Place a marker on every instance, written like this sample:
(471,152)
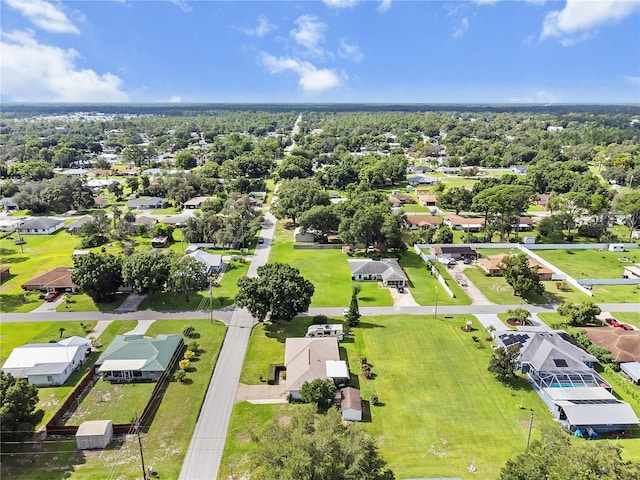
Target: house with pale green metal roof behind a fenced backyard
(136,357)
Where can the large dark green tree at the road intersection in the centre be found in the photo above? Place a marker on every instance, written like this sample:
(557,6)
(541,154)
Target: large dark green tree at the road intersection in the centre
(279,290)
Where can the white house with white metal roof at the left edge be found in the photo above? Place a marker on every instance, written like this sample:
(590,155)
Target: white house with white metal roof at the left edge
(45,364)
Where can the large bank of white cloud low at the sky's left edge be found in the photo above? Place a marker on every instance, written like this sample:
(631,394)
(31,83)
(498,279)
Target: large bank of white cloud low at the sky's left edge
(36,72)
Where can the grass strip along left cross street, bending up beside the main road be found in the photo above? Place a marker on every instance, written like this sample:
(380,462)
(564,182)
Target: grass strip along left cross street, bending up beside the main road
(223,294)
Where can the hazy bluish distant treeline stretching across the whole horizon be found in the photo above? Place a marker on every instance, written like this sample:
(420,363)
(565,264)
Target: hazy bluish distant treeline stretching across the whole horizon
(10,110)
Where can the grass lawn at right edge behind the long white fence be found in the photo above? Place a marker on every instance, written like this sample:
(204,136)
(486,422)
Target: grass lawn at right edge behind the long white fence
(590,263)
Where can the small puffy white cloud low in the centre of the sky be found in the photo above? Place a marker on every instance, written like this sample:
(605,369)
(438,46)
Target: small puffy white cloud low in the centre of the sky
(311,79)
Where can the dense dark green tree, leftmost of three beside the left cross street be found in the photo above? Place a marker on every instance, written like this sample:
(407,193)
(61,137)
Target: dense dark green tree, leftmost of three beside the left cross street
(99,275)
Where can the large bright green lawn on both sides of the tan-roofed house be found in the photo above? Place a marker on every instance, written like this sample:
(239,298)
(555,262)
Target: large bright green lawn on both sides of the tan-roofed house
(440,409)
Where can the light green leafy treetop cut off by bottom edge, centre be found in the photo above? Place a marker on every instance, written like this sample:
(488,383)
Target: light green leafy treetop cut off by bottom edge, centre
(318,447)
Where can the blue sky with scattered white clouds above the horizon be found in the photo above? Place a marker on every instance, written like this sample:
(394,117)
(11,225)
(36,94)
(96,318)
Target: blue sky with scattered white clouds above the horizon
(381,51)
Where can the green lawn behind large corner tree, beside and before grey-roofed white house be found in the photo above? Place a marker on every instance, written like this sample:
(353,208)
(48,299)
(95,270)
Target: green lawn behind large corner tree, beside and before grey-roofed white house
(328,270)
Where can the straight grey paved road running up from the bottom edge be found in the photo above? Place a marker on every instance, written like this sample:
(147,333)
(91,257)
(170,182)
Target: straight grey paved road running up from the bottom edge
(207,444)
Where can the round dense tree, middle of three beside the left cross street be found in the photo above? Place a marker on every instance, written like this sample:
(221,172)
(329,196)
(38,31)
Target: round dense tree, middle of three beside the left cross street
(146,272)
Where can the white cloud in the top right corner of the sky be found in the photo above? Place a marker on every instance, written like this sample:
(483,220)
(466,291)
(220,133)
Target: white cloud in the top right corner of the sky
(580,16)
